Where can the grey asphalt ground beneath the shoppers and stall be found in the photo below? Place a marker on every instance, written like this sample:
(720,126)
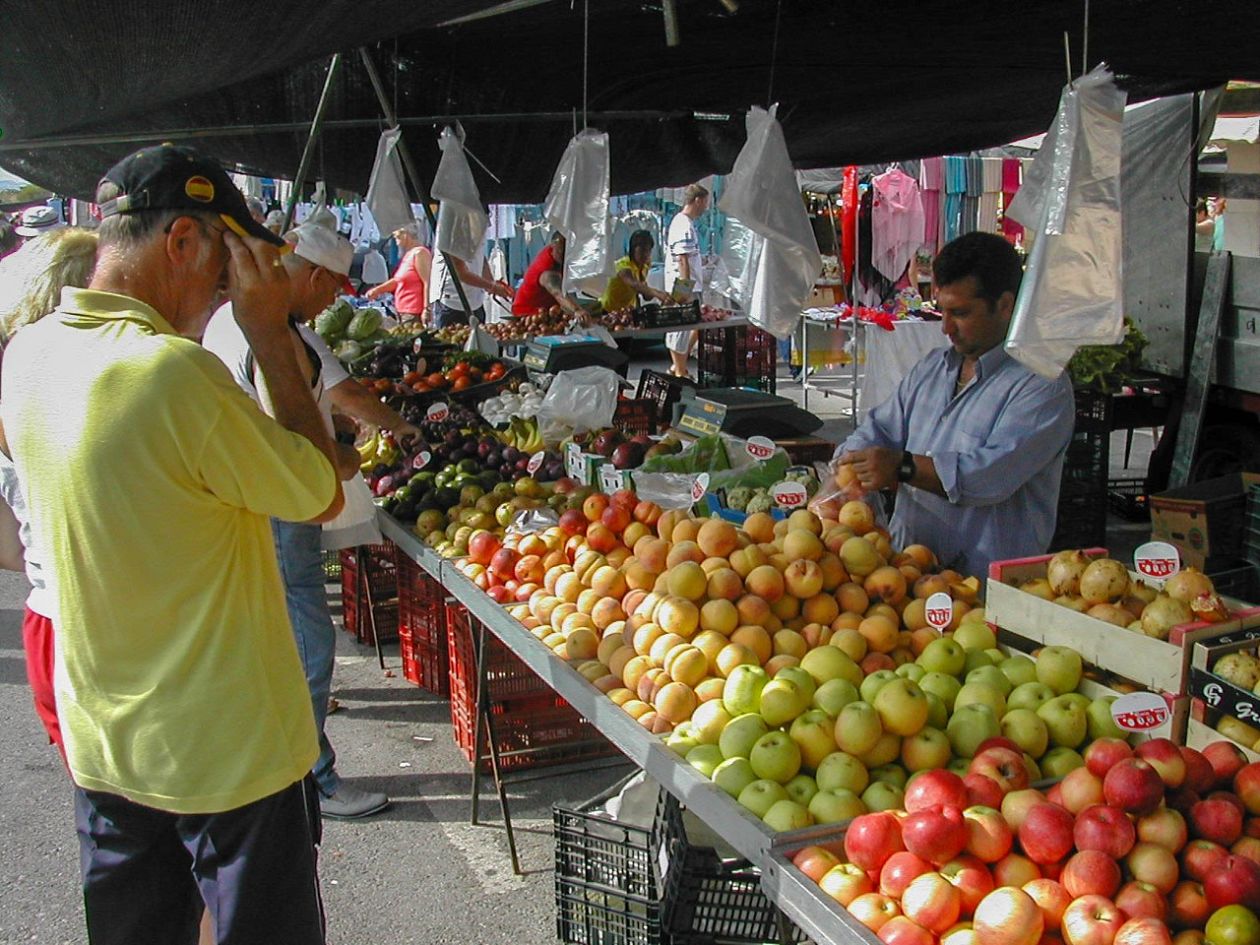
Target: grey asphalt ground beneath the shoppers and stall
(416,874)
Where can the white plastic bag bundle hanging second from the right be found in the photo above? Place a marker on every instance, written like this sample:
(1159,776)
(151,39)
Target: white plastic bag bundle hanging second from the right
(779,261)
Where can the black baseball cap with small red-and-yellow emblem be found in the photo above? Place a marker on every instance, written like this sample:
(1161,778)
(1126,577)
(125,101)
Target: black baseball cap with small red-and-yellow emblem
(178,178)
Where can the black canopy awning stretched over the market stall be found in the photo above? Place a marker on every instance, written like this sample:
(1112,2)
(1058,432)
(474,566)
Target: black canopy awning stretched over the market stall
(862,81)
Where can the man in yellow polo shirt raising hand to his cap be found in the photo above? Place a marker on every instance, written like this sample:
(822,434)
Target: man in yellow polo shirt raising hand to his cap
(151,478)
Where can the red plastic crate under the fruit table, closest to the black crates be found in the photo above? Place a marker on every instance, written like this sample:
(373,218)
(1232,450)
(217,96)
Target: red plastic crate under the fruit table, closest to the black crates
(529,715)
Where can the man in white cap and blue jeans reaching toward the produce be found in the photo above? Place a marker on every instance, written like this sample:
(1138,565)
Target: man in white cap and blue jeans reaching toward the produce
(317,272)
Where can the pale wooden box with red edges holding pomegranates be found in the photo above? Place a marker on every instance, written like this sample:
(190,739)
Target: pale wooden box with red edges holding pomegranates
(1161,666)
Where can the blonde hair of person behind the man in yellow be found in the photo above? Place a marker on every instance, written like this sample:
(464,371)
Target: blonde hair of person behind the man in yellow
(32,279)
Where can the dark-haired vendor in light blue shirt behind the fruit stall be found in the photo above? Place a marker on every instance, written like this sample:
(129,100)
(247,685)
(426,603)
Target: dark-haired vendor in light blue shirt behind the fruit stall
(972,440)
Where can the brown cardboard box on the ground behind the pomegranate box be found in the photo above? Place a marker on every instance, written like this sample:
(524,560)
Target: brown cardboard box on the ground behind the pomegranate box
(1204,520)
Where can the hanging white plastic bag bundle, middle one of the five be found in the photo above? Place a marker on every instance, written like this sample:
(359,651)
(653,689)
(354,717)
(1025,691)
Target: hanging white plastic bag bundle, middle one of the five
(578,206)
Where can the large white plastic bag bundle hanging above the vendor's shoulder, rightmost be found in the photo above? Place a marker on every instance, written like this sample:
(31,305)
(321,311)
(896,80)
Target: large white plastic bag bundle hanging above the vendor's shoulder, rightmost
(1073,292)
